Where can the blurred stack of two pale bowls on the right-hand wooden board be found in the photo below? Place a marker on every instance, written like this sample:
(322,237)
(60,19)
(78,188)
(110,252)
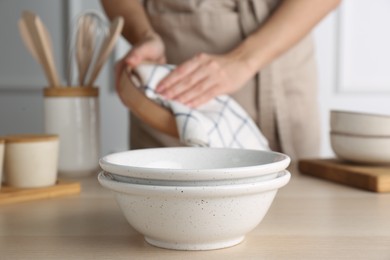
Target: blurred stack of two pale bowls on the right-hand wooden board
(360,137)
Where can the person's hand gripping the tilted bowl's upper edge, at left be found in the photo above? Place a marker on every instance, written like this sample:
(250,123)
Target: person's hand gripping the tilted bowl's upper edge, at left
(150,49)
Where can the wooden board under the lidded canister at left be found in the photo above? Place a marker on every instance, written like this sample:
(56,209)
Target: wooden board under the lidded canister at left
(62,188)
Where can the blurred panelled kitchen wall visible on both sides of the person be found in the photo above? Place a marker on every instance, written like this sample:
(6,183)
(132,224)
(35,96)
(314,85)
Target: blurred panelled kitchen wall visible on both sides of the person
(352,49)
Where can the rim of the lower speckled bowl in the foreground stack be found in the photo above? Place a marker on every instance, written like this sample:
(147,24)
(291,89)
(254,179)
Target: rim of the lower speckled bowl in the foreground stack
(209,191)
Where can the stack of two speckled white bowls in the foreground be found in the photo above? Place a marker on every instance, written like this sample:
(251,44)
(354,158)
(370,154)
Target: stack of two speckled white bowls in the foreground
(194,198)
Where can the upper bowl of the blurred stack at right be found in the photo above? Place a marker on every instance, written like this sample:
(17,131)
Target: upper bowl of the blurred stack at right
(356,123)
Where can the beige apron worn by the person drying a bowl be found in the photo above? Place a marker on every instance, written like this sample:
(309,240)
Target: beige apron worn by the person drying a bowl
(281,99)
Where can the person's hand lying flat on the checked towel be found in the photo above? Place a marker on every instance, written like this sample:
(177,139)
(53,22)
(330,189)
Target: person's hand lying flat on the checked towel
(204,77)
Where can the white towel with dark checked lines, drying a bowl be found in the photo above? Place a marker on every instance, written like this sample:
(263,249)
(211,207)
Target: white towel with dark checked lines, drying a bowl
(221,122)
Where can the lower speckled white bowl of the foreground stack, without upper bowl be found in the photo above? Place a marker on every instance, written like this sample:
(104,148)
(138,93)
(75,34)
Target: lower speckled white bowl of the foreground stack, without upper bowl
(195,218)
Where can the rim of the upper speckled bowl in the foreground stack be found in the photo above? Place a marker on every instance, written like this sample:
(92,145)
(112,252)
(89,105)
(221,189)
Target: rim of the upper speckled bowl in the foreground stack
(188,174)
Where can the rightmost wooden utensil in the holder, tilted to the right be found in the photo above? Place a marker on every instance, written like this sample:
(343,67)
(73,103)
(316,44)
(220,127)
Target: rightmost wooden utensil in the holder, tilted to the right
(106,48)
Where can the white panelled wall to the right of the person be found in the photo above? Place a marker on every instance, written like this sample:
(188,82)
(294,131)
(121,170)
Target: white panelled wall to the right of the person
(354,61)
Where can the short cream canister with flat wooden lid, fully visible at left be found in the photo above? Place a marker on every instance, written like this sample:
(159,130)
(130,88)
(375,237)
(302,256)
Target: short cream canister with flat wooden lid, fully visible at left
(31,161)
